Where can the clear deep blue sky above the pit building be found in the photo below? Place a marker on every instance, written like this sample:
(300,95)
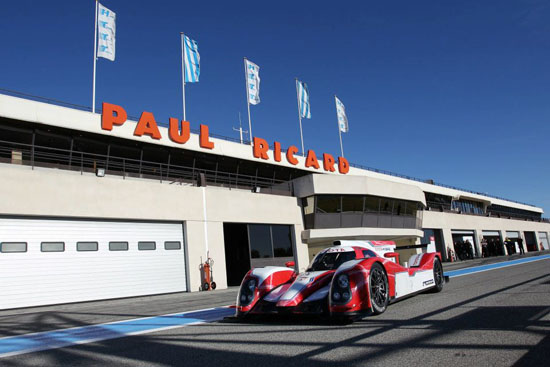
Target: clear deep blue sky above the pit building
(455,91)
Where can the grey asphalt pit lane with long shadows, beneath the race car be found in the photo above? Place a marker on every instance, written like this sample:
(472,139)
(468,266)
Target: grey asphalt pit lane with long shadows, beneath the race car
(489,317)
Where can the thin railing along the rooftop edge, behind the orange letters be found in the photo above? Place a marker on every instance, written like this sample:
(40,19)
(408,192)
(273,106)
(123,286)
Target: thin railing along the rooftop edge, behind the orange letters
(385,172)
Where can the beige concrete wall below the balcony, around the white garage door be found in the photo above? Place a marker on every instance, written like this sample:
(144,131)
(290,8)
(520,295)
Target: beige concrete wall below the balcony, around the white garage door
(49,193)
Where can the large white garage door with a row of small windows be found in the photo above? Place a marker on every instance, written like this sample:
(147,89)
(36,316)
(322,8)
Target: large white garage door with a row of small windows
(58,261)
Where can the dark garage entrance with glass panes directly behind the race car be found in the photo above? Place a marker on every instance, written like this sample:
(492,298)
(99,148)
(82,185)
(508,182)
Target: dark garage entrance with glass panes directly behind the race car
(255,245)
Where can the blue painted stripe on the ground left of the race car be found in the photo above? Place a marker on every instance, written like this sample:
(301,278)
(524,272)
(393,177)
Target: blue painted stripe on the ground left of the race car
(14,345)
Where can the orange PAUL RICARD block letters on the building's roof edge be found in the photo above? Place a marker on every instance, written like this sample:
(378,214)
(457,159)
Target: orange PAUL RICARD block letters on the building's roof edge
(114,115)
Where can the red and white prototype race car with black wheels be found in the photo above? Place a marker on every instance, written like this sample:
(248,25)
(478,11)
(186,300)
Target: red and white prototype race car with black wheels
(349,280)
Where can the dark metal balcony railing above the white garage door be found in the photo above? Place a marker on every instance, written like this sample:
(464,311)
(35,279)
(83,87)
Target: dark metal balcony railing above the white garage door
(41,156)
